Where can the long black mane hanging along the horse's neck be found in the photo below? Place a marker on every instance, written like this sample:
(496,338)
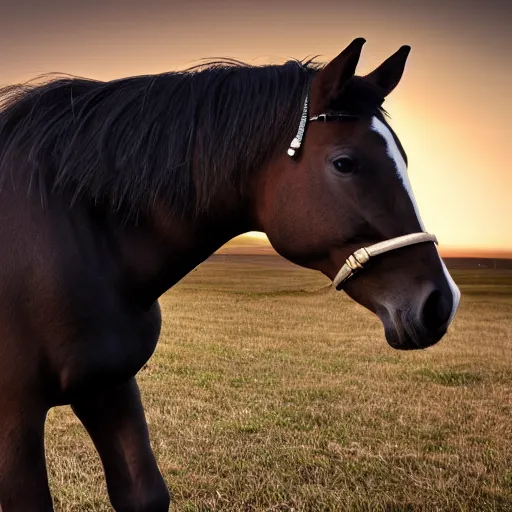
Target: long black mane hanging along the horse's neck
(186,136)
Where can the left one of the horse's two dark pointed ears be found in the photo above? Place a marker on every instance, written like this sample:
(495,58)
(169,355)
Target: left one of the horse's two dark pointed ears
(330,80)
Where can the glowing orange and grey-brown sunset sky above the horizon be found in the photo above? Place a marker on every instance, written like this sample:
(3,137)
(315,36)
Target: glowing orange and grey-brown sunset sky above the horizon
(452,110)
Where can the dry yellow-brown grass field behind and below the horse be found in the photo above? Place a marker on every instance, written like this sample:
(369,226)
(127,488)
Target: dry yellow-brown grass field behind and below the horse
(268,393)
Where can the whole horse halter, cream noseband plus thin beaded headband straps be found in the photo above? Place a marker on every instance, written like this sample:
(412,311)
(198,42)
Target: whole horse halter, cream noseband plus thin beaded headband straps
(357,260)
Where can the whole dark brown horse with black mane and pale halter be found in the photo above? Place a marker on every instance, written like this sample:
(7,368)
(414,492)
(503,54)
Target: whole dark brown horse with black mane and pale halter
(112,191)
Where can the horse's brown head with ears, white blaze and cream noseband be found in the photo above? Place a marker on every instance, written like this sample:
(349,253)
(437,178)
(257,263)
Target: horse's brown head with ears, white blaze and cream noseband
(341,199)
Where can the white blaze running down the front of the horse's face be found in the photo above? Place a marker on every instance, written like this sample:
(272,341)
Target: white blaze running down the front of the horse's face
(396,156)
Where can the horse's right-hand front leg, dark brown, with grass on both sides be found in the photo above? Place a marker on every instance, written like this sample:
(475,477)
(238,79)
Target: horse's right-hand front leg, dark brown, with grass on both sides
(116,423)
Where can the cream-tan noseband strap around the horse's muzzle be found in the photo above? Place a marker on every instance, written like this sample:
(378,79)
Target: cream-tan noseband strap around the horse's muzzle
(357,260)
